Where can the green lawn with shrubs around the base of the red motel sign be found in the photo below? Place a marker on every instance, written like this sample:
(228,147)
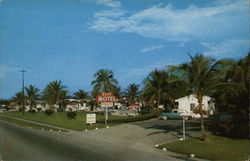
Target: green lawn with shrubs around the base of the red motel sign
(79,123)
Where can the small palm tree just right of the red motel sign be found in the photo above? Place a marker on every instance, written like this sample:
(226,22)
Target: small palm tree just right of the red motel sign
(132,91)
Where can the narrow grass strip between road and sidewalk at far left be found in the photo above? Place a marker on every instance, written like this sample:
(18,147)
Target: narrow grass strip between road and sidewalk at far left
(31,125)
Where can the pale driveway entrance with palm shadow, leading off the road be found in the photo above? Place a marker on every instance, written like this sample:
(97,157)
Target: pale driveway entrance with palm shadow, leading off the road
(148,133)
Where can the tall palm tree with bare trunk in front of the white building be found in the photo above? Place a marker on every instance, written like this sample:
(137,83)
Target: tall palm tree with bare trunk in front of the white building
(204,75)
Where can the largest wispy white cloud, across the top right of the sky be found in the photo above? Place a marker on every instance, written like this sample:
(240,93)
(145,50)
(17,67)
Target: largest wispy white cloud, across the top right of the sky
(224,19)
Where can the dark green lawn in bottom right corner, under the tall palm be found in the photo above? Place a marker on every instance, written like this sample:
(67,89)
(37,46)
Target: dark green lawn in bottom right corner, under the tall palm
(218,148)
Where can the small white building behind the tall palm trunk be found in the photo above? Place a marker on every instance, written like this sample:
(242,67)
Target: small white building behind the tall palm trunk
(189,103)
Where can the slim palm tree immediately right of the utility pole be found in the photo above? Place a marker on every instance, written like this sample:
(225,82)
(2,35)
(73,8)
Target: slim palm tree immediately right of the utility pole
(32,95)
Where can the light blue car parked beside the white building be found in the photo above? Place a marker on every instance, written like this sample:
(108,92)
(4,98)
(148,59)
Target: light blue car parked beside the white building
(175,114)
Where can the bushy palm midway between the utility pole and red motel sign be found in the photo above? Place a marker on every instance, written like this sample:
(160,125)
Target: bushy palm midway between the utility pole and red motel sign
(52,92)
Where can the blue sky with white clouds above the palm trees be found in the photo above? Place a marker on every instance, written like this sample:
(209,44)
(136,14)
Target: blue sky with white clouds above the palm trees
(70,40)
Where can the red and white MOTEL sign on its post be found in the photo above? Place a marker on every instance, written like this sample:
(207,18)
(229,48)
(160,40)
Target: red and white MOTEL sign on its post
(106,100)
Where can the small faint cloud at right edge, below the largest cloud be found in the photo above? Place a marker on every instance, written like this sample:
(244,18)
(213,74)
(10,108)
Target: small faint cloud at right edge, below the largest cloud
(230,48)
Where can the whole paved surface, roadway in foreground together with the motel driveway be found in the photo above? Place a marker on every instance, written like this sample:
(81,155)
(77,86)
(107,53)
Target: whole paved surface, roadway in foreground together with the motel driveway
(127,142)
